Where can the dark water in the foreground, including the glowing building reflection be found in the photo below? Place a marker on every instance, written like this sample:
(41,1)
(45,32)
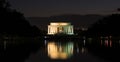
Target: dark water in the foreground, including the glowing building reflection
(37,50)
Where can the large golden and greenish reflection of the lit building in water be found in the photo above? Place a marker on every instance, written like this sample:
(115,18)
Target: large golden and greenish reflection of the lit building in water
(60,51)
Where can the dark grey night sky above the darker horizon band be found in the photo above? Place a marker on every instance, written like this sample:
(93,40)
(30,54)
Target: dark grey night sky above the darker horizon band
(44,8)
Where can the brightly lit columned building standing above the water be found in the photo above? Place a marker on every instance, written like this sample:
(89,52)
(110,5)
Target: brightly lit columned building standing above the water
(60,27)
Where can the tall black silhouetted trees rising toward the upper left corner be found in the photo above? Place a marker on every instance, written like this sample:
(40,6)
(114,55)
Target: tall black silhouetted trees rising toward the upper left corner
(13,23)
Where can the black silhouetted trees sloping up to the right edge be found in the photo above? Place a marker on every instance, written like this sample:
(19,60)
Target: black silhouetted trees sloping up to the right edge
(108,26)
